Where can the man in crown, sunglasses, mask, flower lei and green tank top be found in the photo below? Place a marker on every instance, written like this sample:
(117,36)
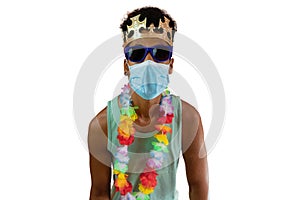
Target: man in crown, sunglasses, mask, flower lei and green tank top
(139,136)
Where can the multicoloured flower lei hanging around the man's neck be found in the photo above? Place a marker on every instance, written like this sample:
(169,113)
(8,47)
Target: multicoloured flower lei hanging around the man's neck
(126,137)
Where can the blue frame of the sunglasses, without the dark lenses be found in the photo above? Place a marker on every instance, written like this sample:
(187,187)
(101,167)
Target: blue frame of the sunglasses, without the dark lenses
(149,50)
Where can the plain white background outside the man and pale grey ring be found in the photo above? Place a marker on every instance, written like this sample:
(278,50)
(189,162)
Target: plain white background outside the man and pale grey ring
(254,45)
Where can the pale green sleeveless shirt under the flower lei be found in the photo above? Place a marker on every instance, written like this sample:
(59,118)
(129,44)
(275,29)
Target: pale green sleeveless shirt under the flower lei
(138,152)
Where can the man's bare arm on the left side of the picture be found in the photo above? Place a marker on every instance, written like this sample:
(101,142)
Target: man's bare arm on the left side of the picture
(100,158)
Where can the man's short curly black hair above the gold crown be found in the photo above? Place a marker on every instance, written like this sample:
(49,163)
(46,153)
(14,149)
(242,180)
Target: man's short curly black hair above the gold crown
(153,15)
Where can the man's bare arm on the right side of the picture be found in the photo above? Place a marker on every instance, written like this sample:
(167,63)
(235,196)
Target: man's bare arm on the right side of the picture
(194,153)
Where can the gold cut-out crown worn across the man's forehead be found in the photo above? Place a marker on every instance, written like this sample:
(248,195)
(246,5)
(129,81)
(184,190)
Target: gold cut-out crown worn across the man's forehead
(138,30)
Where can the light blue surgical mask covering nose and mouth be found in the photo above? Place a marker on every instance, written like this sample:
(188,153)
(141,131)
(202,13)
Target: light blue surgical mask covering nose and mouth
(149,79)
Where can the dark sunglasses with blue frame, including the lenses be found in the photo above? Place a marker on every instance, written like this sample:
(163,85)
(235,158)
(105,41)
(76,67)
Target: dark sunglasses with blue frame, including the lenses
(159,53)
